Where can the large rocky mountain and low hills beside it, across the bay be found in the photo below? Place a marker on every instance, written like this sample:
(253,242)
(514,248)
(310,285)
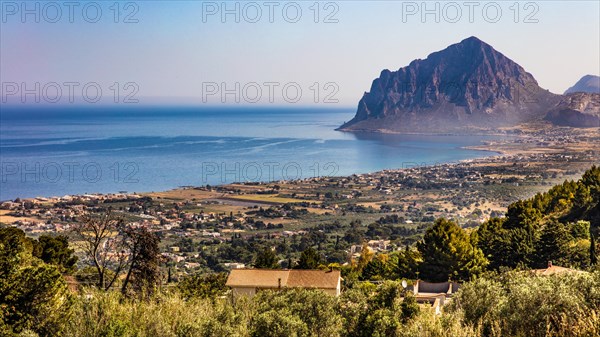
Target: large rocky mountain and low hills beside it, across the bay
(469,86)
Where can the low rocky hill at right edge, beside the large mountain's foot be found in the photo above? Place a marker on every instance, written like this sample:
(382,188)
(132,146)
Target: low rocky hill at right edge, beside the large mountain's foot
(579,109)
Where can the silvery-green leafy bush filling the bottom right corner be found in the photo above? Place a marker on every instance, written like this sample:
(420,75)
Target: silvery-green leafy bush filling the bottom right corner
(524,304)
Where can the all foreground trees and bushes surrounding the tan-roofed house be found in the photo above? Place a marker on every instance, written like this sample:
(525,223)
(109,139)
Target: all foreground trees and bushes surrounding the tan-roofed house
(500,296)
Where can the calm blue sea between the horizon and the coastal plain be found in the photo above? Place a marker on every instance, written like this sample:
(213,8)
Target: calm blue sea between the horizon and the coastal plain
(51,151)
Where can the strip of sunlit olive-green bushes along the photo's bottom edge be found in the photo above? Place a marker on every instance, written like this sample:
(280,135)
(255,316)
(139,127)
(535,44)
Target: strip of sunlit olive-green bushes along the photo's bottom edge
(559,305)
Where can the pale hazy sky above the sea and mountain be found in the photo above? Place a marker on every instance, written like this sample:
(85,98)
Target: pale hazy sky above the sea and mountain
(269,52)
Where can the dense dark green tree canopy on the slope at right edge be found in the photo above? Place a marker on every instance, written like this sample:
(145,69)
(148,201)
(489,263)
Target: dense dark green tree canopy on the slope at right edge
(553,226)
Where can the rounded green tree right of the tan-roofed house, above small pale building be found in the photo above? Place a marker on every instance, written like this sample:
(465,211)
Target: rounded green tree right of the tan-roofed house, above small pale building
(448,253)
